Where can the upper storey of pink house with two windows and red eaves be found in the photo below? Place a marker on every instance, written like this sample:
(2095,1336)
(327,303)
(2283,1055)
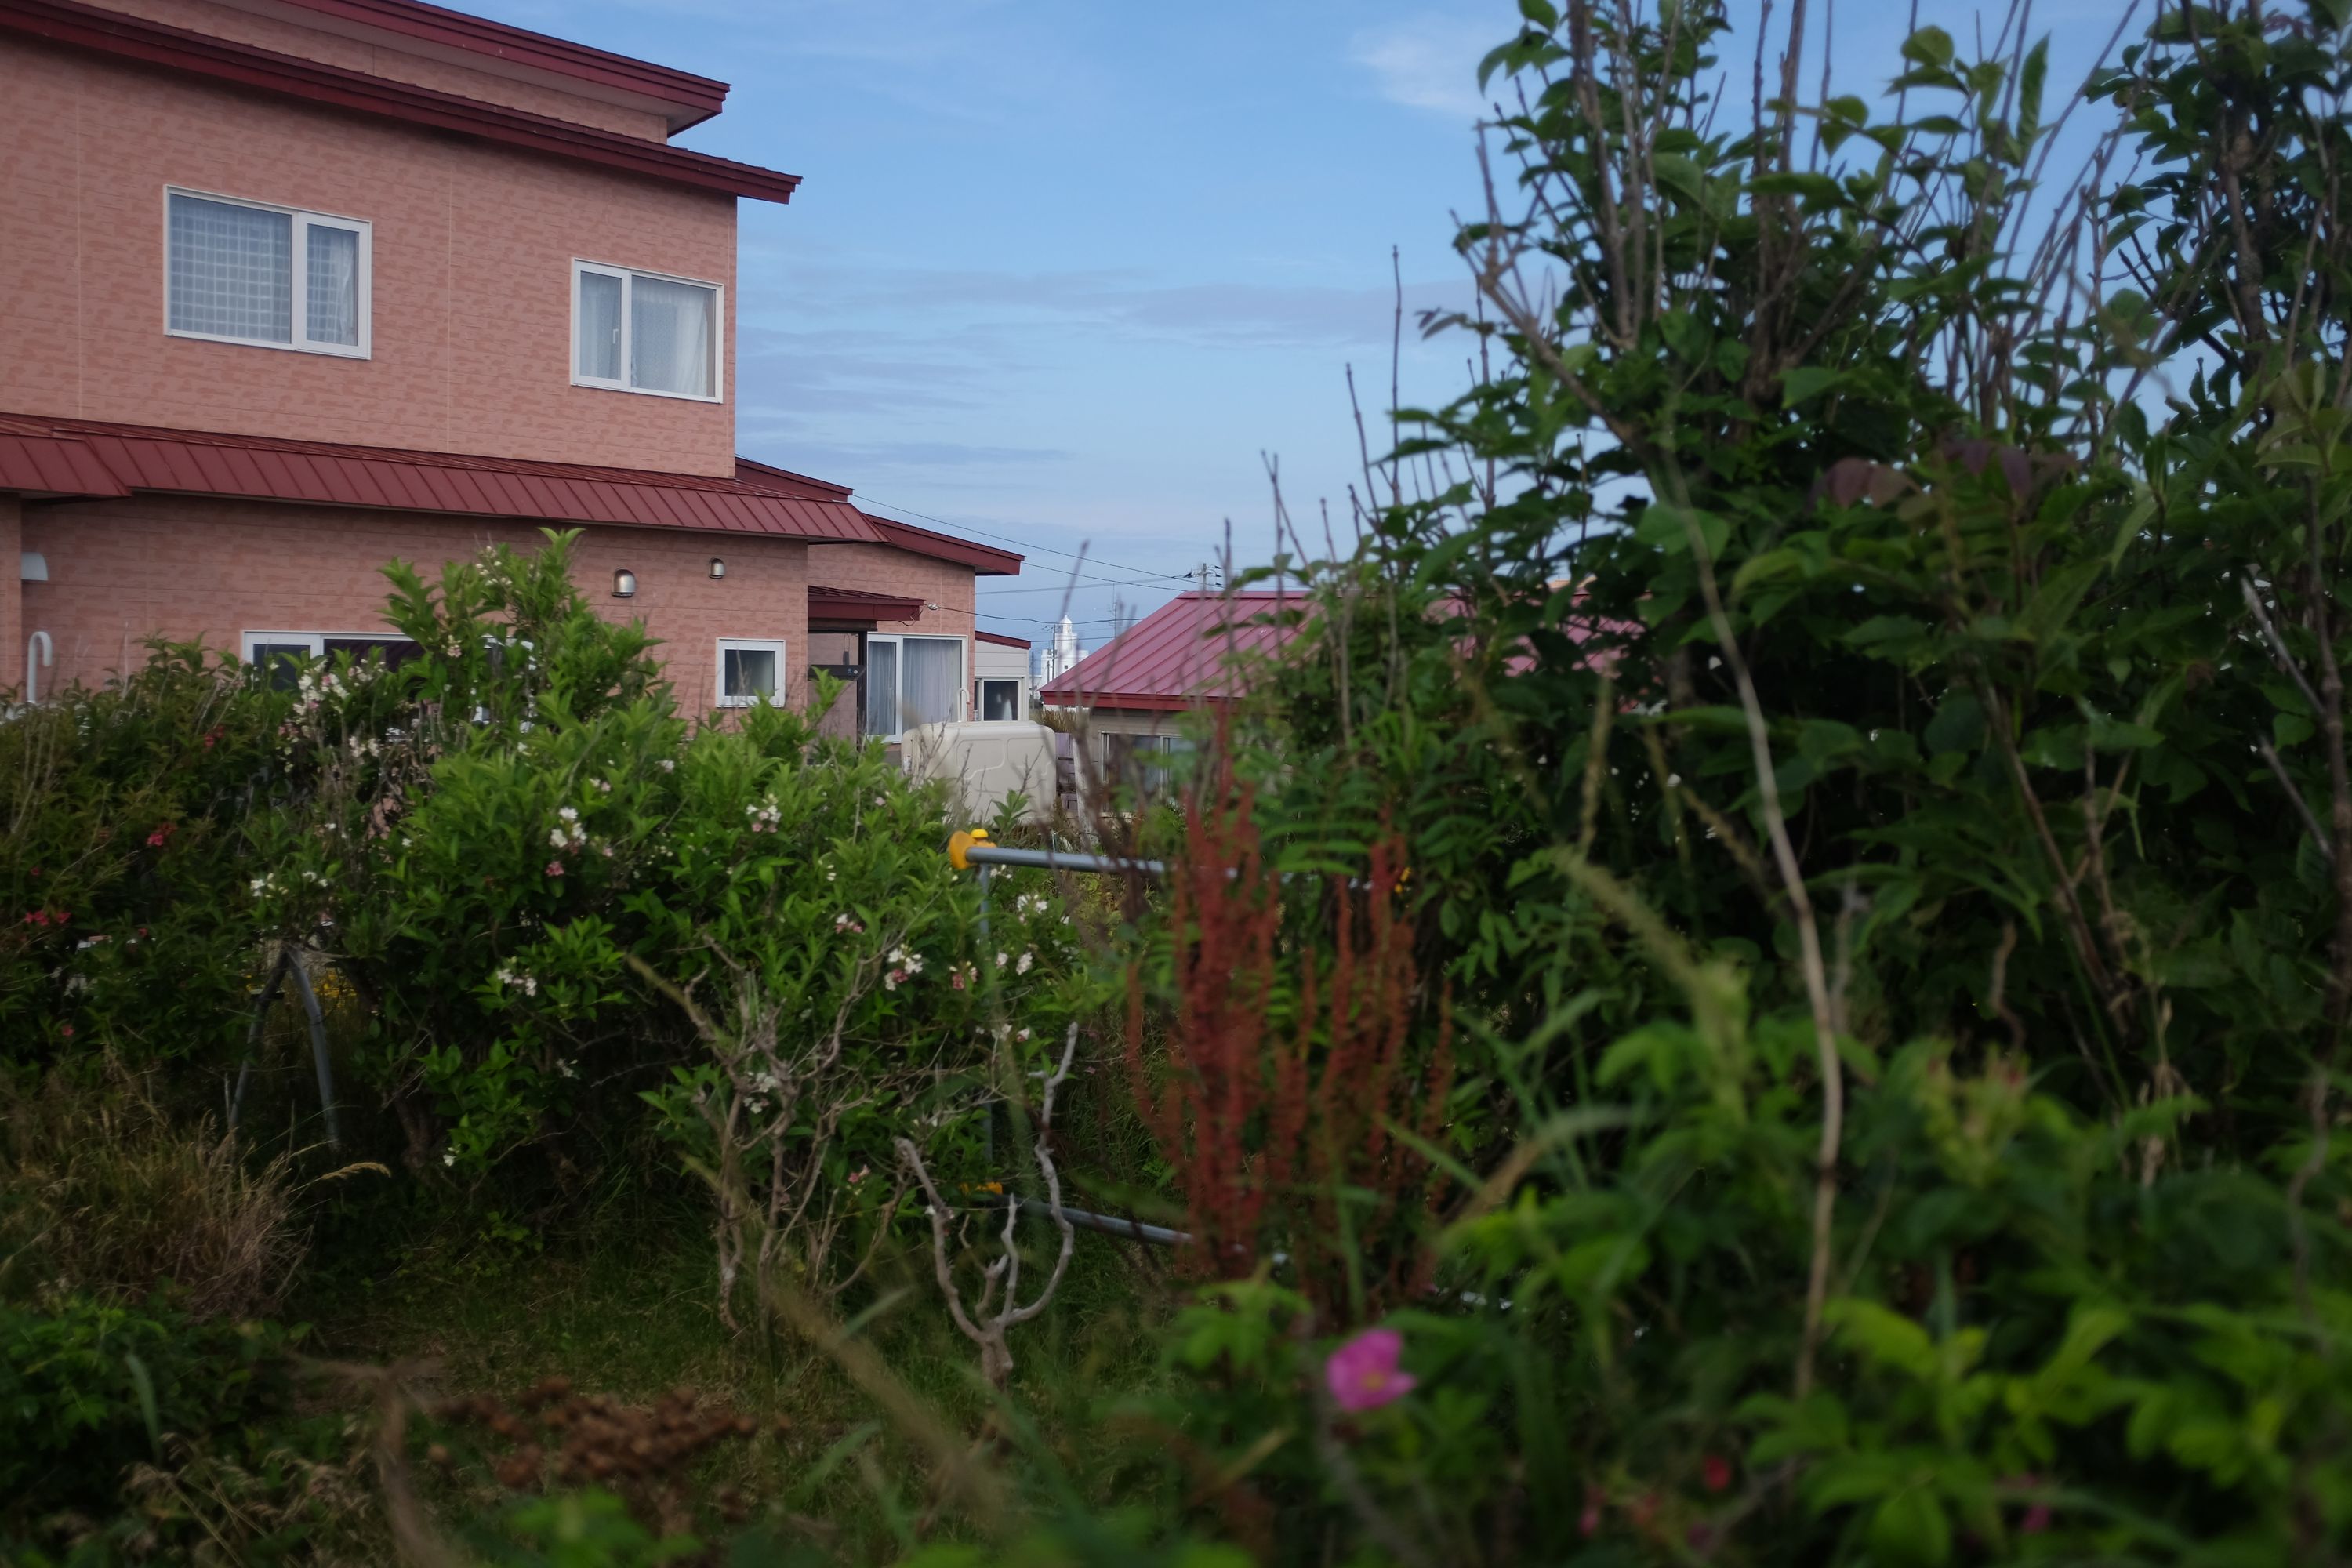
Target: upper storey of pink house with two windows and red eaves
(366,222)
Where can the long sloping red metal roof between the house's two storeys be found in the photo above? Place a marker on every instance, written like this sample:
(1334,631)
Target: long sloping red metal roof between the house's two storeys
(267,469)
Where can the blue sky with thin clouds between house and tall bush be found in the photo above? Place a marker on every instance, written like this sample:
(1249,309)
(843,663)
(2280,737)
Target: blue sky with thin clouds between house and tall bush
(1064,272)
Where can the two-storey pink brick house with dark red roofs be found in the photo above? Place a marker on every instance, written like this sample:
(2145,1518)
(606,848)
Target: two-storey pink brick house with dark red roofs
(302,286)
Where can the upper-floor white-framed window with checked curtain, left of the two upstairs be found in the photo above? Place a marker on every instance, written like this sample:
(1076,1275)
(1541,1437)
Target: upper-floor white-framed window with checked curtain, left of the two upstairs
(267,276)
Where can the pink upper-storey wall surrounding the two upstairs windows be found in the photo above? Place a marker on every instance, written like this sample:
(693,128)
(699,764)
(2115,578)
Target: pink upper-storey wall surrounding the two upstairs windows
(474,255)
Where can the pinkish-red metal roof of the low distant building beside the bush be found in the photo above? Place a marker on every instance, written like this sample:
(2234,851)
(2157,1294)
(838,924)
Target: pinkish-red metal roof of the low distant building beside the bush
(1177,657)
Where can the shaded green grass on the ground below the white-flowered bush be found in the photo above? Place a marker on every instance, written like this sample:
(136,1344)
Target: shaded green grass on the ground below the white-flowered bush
(634,1315)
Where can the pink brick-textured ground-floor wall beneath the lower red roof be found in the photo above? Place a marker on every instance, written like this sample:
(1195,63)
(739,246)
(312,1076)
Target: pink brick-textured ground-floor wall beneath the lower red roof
(213,570)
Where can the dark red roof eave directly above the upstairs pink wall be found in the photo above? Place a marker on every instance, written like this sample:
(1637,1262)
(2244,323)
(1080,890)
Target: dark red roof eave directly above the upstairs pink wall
(260,69)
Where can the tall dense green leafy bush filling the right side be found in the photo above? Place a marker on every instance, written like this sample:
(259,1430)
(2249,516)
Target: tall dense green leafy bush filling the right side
(1869,742)
